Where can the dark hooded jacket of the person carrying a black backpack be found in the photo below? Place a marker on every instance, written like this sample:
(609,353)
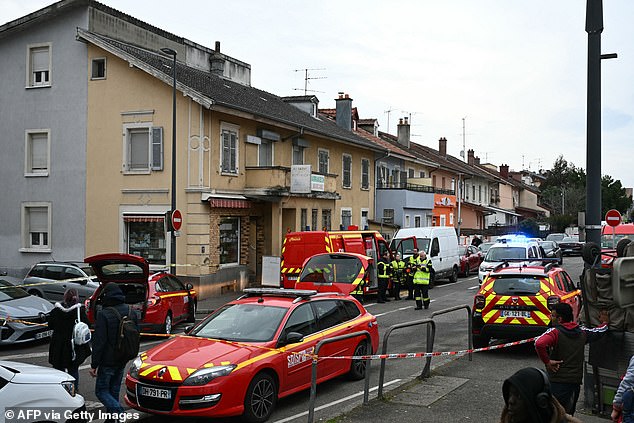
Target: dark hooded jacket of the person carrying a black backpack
(104,337)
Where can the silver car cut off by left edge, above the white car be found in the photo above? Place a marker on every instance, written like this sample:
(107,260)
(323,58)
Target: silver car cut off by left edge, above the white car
(22,316)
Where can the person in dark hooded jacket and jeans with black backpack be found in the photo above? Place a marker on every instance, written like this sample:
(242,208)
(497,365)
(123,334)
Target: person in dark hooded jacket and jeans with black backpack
(107,368)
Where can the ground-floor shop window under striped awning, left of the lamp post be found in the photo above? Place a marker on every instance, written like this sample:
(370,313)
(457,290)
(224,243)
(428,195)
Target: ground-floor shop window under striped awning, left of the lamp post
(146,238)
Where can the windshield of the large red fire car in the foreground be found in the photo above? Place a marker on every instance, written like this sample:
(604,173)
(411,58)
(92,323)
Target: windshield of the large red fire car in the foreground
(242,322)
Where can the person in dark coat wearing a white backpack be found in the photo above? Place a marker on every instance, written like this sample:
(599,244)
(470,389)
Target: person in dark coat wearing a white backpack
(62,353)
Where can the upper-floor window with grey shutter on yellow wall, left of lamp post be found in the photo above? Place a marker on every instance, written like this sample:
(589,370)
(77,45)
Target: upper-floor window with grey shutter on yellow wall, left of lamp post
(143,148)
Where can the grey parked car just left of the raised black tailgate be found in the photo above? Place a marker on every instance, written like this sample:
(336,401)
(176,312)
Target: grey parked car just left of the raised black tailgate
(50,279)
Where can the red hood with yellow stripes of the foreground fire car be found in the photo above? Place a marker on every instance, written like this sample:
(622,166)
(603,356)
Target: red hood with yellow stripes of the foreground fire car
(181,356)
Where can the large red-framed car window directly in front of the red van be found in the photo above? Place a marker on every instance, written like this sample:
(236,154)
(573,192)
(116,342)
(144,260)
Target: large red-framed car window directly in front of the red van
(330,268)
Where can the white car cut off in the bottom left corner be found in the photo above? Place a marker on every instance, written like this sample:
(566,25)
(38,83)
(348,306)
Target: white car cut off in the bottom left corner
(32,389)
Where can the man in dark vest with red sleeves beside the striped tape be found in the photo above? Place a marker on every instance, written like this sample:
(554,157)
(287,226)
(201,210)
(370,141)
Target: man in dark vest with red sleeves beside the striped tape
(561,349)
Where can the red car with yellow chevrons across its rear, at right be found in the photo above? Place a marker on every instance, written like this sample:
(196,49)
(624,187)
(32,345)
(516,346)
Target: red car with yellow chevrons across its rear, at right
(514,301)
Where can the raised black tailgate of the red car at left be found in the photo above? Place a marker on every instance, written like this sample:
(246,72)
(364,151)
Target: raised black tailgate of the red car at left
(121,268)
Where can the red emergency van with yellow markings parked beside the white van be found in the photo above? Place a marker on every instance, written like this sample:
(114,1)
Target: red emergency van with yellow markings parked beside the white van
(298,246)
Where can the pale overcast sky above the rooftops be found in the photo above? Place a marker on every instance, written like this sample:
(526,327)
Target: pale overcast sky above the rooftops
(516,70)
